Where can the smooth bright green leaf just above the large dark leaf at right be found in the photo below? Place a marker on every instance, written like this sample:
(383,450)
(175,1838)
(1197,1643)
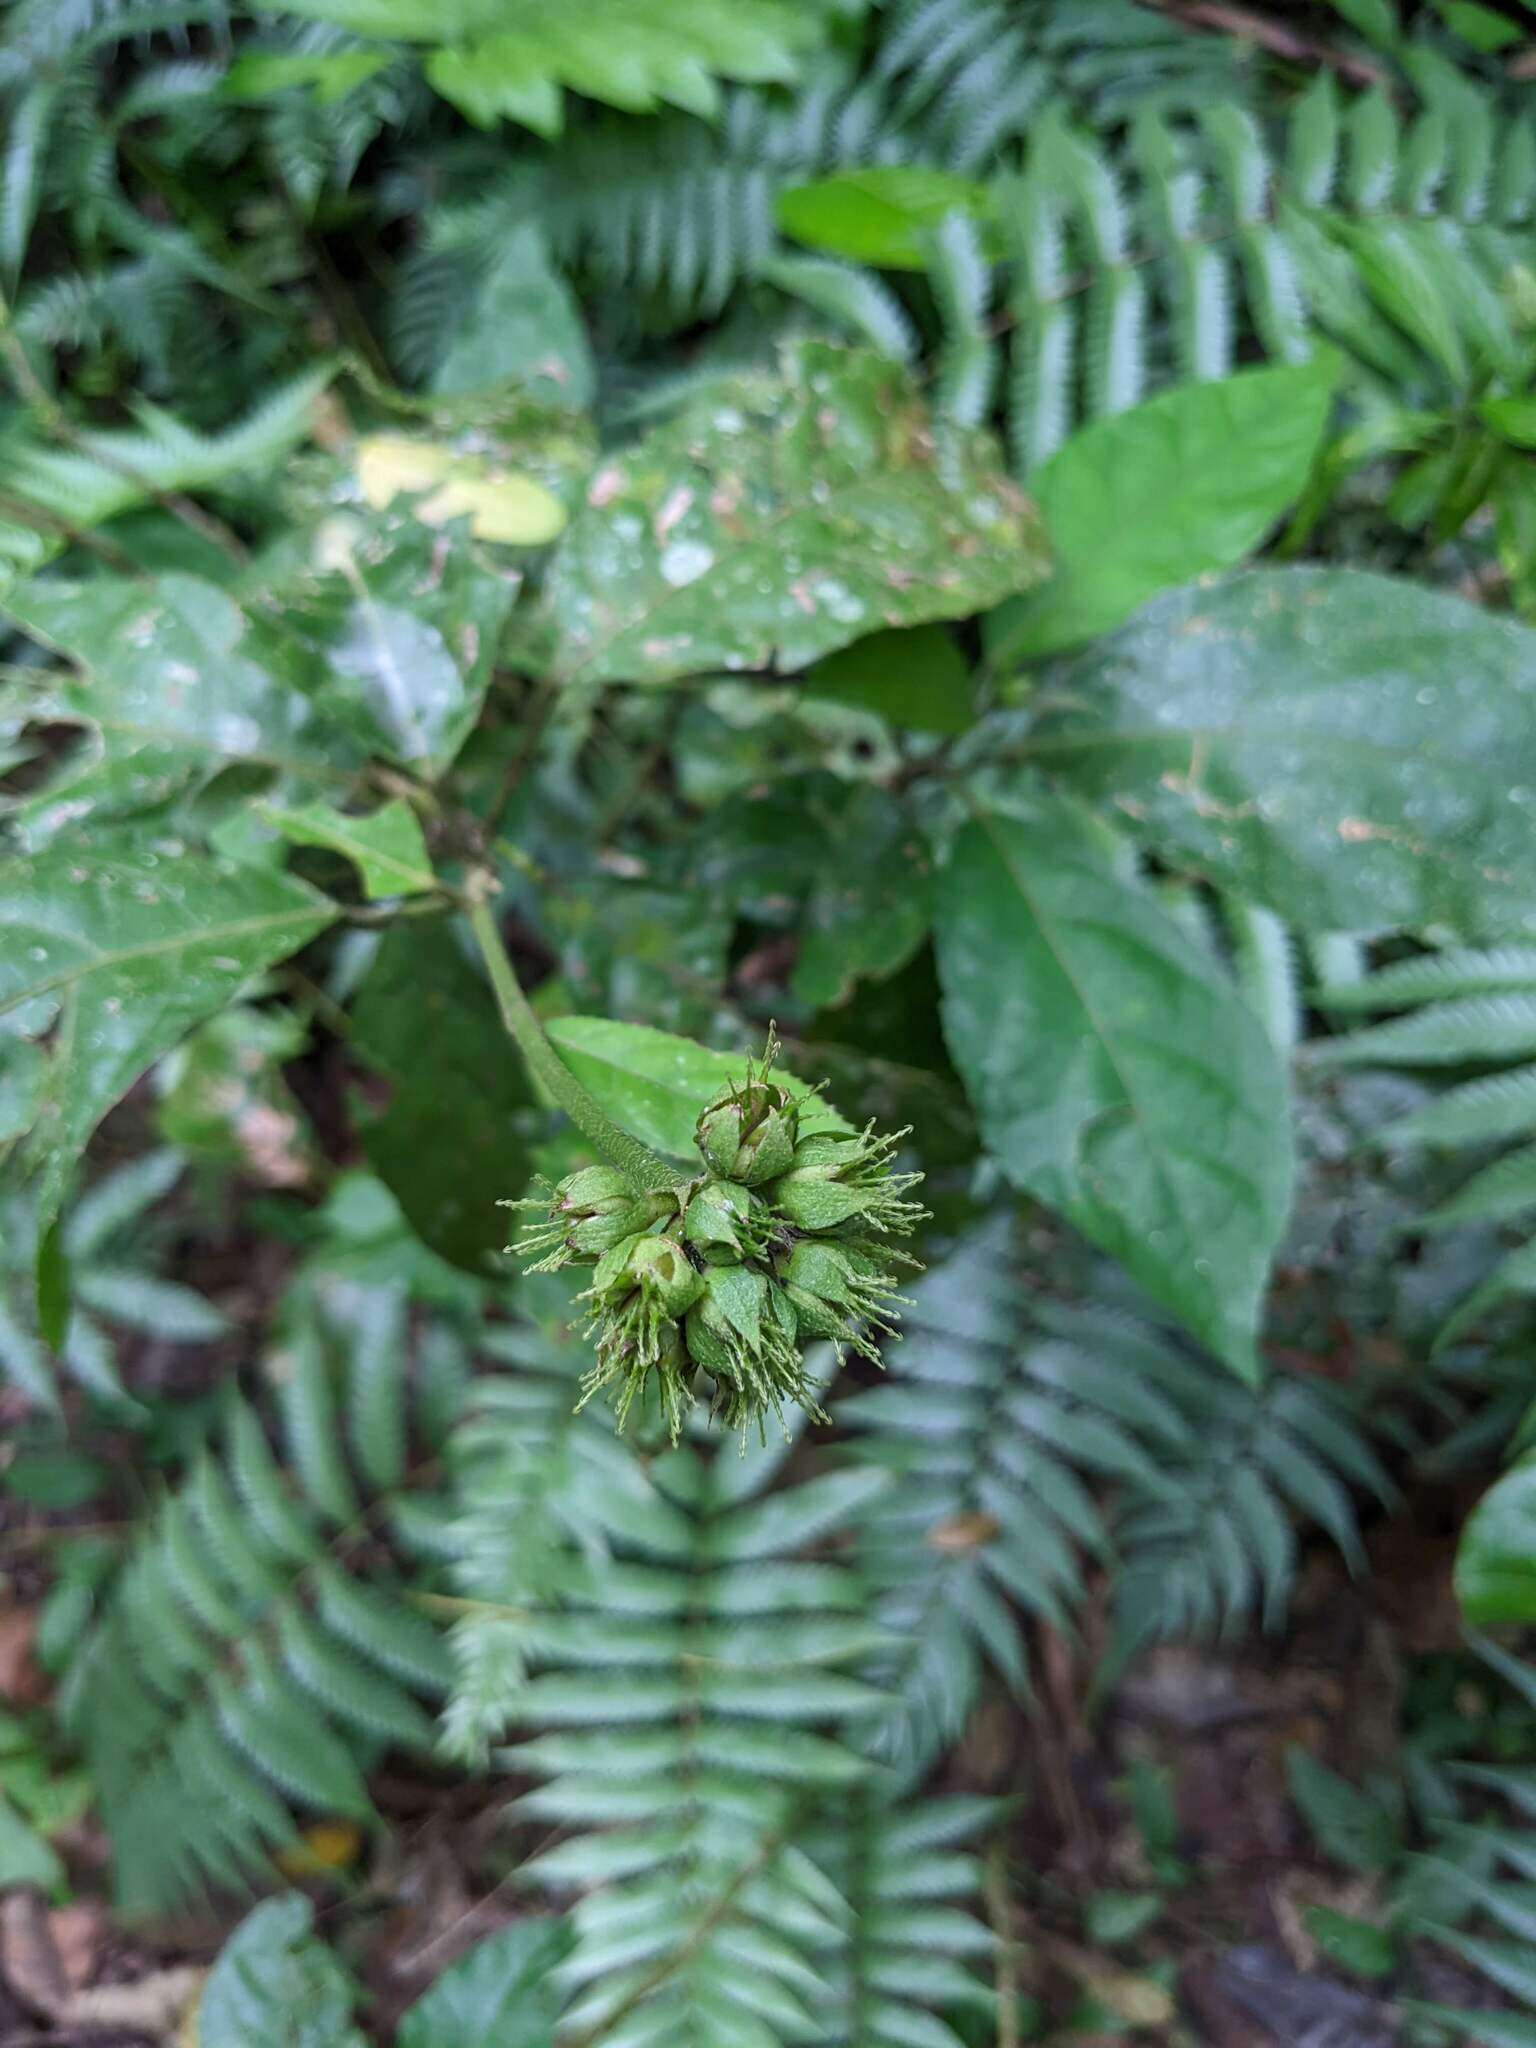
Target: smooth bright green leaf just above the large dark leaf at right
(1150,499)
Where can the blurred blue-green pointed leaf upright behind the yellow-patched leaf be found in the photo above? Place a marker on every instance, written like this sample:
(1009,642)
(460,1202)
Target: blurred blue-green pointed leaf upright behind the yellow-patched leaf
(523,329)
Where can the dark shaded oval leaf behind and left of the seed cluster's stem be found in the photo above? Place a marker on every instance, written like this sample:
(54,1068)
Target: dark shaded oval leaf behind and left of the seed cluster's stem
(454,1140)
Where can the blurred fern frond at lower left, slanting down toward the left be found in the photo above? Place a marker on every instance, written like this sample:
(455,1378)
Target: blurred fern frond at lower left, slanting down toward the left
(261,1646)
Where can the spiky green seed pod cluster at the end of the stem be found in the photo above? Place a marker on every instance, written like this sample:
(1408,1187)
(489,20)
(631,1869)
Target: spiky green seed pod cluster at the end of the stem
(720,1283)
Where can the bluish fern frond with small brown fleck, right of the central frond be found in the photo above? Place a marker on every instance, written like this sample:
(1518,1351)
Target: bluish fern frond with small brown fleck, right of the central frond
(992,1428)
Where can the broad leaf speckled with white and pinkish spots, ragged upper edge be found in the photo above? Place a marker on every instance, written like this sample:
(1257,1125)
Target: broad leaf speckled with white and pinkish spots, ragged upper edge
(779,519)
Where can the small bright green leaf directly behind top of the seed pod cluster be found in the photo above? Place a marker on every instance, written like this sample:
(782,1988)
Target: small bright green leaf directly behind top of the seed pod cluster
(656,1084)
